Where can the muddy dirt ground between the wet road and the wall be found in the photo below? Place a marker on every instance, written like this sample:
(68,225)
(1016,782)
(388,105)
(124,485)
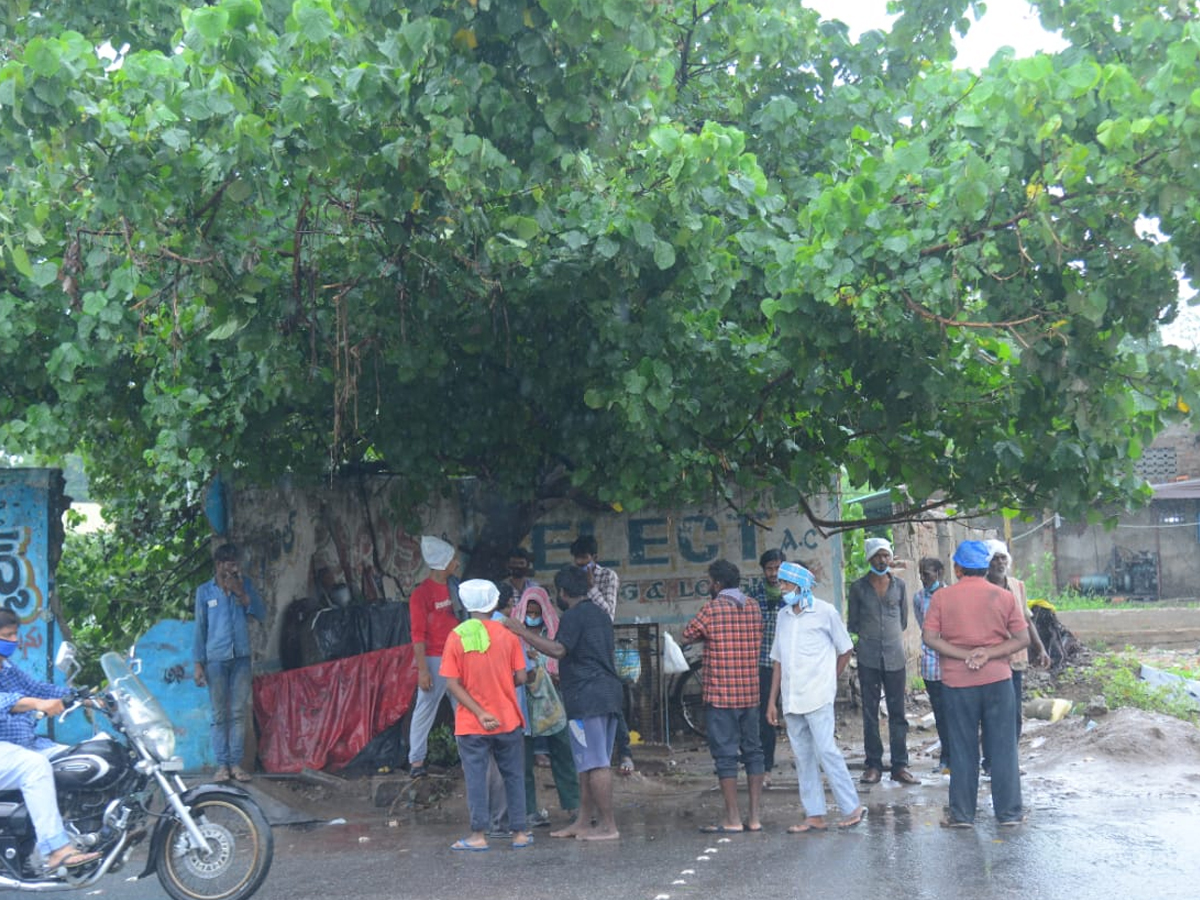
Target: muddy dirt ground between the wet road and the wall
(1079,753)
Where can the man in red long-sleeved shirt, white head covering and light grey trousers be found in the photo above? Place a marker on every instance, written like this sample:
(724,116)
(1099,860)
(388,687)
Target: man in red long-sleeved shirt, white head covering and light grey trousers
(433,619)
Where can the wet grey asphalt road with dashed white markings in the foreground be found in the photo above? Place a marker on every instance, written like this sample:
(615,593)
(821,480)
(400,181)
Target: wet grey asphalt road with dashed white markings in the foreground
(1137,839)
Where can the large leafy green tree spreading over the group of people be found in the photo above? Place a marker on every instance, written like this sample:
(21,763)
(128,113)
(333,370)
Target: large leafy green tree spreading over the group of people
(637,253)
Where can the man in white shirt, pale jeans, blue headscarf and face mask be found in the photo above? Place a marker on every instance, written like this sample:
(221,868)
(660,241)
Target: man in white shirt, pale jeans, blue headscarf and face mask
(811,651)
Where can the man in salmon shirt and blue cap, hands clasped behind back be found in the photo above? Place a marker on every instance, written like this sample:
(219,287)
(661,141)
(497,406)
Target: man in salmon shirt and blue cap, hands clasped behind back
(976,627)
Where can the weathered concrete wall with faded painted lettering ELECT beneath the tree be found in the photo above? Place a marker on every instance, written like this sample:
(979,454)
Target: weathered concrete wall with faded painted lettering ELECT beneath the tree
(289,533)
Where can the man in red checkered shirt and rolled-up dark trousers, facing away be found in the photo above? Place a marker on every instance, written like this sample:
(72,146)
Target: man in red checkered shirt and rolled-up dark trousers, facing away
(731,628)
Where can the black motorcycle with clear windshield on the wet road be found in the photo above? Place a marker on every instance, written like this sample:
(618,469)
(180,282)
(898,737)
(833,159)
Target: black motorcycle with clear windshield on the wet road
(207,843)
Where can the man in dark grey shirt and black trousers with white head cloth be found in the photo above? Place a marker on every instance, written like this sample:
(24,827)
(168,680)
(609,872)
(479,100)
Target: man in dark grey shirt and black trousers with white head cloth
(878,611)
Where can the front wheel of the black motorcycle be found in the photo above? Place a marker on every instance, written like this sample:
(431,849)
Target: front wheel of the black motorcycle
(242,849)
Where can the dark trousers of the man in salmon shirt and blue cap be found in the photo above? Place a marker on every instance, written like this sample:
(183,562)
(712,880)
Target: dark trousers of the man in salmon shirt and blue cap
(969,710)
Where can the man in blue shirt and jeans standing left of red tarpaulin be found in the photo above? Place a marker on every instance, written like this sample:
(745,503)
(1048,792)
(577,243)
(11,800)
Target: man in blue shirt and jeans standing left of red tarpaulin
(221,651)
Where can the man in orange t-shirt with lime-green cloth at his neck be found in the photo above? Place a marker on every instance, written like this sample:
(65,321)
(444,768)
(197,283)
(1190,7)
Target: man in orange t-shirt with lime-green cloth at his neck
(484,664)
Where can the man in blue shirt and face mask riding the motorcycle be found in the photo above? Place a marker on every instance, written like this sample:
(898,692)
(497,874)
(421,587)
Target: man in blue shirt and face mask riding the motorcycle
(25,755)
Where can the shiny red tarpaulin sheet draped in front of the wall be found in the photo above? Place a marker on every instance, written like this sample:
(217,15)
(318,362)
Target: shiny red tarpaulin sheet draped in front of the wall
(323,716)
